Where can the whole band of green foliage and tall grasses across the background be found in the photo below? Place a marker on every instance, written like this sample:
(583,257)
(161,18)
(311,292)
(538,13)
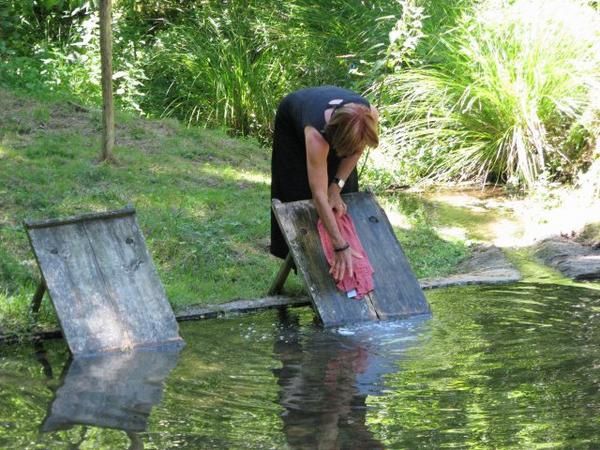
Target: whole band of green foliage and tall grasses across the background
(468,89)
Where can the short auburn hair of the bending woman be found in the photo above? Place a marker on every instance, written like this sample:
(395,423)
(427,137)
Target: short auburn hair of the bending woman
(352,127)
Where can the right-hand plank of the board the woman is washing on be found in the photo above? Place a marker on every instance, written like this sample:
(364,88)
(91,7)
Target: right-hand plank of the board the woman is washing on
(397,291)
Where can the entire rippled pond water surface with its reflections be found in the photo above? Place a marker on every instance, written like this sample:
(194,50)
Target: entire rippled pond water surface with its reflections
(514,366)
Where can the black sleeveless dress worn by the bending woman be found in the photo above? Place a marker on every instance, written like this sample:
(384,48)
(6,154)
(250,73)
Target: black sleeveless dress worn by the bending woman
(289,175)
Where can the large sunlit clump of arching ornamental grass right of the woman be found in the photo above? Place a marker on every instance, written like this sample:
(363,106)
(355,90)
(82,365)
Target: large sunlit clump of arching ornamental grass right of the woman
(503,95)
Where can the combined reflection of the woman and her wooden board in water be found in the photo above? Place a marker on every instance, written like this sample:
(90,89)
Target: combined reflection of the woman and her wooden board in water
(326,376)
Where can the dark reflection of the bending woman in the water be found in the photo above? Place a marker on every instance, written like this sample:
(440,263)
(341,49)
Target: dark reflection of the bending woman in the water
(323,408)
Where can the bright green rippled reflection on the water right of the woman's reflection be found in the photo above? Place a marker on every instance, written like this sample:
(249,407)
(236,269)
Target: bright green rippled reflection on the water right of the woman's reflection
(511,367)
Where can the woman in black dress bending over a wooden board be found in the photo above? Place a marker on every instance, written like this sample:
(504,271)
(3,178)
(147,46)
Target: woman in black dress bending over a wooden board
(320,133)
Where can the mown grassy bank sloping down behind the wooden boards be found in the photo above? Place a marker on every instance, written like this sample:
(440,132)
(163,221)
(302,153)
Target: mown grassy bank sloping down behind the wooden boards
(202,202)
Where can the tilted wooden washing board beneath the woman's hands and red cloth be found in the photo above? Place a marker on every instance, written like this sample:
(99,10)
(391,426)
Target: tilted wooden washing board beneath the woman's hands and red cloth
(397,291)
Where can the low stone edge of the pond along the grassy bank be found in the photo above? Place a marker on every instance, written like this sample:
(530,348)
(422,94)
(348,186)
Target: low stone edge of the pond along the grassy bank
(487,265)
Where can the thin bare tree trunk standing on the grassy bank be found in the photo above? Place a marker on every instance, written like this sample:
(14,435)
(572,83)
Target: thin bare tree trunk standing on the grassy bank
(108,113)
